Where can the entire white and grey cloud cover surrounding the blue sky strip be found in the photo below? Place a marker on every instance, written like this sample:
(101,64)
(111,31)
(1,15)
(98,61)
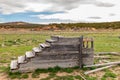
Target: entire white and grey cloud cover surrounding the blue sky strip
(76,10)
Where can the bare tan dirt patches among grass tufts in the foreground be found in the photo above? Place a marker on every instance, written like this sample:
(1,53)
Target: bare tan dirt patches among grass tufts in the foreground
(98,74)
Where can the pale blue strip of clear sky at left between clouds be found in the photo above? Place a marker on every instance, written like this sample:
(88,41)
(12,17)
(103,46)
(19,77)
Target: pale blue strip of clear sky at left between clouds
(27,17)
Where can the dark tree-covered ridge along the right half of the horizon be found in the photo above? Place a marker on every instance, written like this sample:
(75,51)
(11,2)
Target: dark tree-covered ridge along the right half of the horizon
(104,25)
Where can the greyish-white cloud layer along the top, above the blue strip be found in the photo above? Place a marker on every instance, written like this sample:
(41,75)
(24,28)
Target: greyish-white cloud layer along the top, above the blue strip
(13,6)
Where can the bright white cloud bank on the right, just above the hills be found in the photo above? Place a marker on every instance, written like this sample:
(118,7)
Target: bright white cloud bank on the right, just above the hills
(84,12)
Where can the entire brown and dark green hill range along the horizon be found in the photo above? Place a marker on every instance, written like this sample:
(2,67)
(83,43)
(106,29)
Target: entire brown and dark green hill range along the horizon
(106,25)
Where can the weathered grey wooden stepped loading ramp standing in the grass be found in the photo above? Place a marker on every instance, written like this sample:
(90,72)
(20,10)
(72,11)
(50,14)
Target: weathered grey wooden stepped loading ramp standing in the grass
(58,51)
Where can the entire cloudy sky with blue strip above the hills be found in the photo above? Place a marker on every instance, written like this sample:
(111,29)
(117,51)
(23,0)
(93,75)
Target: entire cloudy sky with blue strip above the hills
(59,11)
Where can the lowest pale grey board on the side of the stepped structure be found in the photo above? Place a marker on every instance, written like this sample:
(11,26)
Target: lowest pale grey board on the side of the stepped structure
(35,64)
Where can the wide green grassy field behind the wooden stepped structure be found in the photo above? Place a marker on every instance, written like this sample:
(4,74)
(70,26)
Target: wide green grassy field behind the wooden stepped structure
(17,44)
